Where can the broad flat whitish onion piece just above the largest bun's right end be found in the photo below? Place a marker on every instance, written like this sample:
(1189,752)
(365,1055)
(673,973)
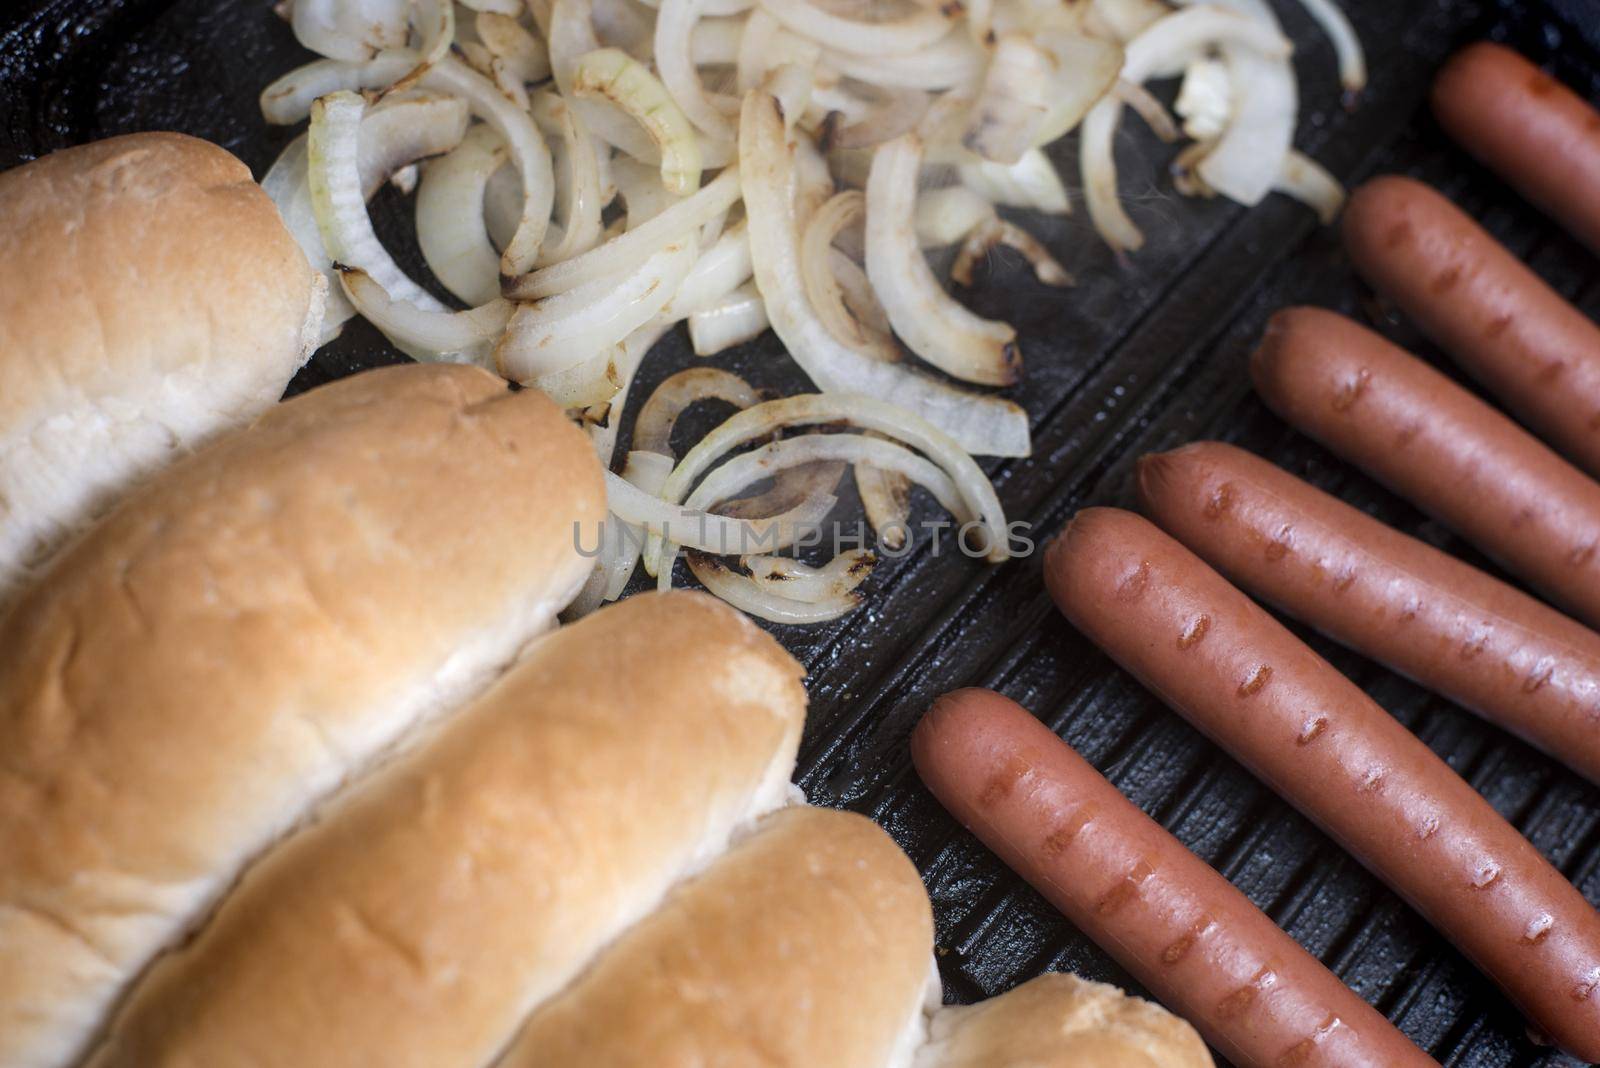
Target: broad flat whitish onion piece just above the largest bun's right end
(578,325)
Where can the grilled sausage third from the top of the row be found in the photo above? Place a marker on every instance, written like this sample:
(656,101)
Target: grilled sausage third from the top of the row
(1438,445)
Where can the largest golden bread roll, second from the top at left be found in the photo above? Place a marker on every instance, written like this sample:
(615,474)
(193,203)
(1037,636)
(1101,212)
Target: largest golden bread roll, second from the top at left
(239,637)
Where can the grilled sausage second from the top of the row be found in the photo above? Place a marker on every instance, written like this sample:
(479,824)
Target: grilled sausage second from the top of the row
(1510,330)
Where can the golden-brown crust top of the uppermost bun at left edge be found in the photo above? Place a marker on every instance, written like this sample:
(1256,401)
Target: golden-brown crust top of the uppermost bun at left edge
(135,258)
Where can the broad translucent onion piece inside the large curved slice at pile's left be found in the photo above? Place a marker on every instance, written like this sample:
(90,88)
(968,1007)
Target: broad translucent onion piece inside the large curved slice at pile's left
(450,217)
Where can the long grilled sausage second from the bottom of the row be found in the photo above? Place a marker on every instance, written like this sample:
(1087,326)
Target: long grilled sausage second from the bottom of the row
(1311,735)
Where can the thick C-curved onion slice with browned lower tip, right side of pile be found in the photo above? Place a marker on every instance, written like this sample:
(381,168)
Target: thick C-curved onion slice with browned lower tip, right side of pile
(927,319)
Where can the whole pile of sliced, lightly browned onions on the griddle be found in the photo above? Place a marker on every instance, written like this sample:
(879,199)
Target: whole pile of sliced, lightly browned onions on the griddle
(591,173)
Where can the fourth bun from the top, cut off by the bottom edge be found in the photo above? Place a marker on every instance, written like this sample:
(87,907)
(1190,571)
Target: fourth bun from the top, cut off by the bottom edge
(807,944)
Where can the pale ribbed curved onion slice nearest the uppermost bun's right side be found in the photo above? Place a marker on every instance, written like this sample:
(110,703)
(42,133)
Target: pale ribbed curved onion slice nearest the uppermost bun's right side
(332,151)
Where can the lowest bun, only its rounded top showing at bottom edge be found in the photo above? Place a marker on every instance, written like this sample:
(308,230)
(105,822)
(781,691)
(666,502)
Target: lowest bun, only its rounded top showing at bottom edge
(1062,1021)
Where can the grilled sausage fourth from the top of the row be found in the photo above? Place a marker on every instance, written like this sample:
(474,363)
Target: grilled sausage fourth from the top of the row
(1394,599)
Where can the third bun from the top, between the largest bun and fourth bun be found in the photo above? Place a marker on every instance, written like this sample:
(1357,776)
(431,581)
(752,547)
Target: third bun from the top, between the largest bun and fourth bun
(422,919)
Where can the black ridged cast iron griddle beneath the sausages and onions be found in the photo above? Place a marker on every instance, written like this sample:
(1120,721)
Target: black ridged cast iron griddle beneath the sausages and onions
(1140,357)
